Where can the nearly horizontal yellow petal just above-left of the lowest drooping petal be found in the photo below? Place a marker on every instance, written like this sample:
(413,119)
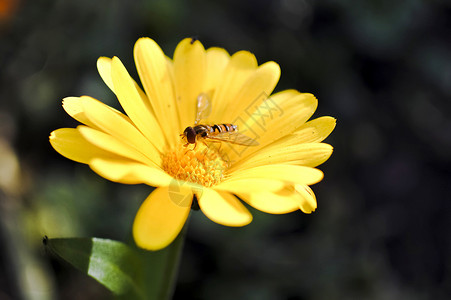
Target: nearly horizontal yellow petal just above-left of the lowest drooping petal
(129,172)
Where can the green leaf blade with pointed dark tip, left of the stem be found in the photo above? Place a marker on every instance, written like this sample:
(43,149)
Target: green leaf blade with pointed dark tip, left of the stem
(114,264)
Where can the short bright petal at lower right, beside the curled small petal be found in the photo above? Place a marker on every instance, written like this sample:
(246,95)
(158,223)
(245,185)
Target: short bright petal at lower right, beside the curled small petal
(281,202)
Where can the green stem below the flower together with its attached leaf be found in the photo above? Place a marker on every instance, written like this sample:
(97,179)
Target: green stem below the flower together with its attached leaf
(128,272)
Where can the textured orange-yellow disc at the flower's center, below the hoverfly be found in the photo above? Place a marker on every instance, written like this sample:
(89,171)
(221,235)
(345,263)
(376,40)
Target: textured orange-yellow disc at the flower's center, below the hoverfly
(202,165)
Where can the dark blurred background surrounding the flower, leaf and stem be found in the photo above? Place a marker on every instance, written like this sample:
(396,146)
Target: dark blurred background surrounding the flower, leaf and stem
(382,68)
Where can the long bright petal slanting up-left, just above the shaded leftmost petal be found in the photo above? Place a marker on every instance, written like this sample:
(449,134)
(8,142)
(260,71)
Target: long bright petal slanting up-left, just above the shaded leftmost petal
(118,125)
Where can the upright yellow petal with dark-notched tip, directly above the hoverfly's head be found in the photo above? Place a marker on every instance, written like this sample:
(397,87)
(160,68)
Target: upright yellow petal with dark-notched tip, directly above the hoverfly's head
(189,72)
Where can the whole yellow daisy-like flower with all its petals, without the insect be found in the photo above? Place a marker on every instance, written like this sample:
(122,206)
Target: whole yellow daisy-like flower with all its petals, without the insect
(144,145)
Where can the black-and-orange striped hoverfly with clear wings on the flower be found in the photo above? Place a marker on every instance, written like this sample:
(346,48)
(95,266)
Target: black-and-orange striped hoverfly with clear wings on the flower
(217,132)
